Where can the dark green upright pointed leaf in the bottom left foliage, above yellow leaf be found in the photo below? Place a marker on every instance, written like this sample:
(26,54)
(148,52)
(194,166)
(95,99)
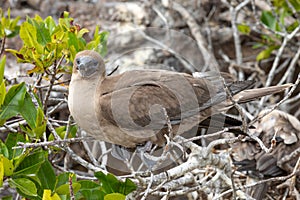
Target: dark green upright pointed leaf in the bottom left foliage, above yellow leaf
(47,176)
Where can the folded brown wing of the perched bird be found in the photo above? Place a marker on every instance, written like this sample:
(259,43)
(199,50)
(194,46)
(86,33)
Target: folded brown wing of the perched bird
(137,98)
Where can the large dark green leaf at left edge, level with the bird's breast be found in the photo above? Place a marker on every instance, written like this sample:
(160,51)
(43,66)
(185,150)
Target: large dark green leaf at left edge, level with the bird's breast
(13,102)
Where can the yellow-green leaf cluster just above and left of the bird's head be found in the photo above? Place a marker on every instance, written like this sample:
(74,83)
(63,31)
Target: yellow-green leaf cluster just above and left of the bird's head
(45,42)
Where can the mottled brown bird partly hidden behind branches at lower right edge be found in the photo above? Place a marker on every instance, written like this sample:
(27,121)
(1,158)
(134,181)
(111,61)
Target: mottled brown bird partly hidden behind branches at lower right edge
(279,130)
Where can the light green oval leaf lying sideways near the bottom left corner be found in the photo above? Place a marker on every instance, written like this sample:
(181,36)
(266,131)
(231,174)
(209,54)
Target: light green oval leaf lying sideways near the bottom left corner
(24,186)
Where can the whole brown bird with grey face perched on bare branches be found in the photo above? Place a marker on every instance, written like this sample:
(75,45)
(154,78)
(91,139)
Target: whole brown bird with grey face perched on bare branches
(135,107)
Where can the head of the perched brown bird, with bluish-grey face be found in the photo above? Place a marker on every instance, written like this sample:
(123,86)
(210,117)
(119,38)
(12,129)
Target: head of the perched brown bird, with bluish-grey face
(88,64)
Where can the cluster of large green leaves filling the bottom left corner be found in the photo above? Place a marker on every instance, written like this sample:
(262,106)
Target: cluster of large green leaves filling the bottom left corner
(33,176)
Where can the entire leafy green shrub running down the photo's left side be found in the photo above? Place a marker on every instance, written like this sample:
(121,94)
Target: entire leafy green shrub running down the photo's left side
(50,47)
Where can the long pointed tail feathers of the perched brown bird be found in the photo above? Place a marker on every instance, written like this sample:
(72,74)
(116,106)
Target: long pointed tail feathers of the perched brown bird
(251,94)
